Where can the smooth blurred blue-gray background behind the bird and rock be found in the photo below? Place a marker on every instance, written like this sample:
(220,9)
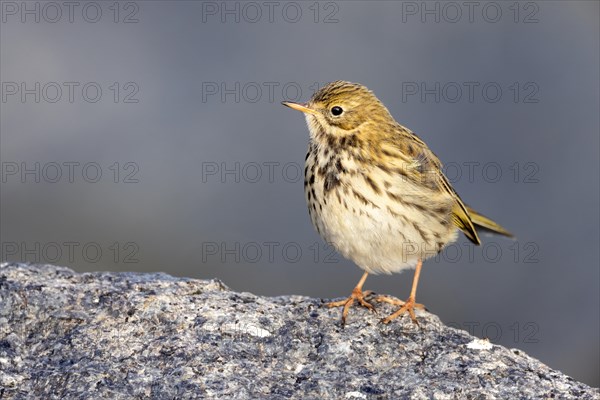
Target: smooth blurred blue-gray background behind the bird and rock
(148,136)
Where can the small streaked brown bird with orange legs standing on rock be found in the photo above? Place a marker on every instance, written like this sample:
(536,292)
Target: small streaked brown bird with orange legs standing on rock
(376,192)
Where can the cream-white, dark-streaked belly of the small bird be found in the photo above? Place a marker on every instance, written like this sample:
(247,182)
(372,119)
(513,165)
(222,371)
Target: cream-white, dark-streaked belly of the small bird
(380,235)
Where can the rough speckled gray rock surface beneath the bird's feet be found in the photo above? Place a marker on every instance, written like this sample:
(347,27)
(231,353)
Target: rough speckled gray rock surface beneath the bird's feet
(128,336)
